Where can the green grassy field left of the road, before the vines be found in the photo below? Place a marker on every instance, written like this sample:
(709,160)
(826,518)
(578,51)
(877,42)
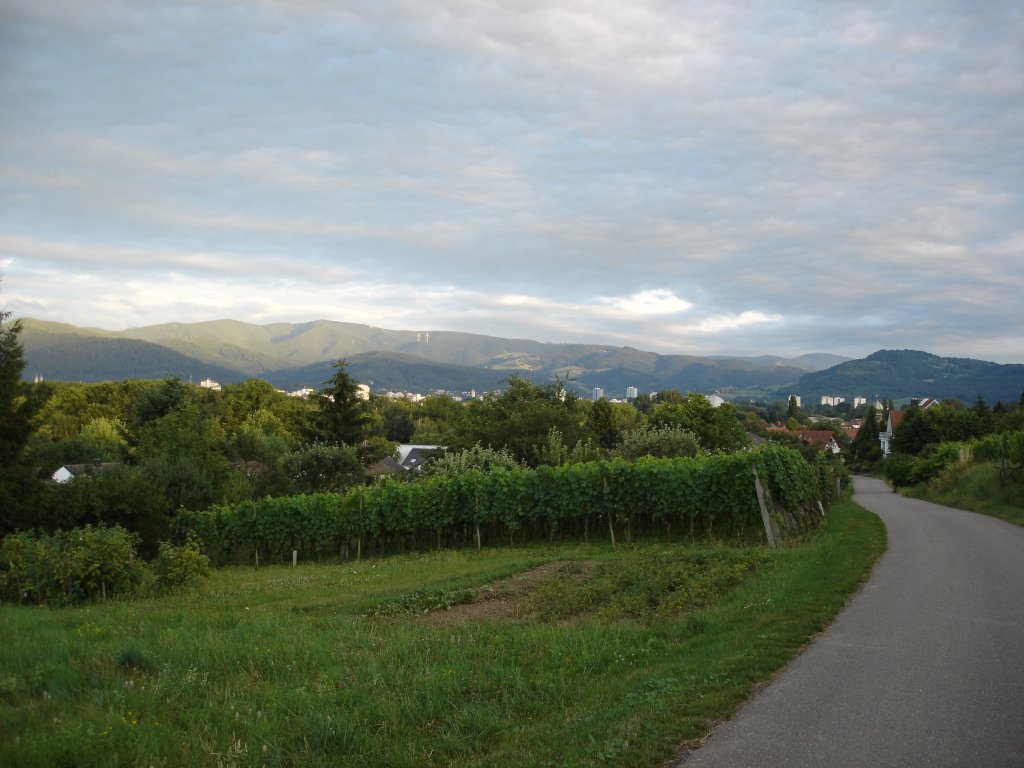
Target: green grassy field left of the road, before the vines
(553,656)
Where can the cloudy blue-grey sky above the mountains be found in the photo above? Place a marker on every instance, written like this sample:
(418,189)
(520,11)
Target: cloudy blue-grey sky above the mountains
(736,178)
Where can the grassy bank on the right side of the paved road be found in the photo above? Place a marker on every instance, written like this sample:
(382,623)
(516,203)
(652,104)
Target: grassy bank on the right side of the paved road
(976,488)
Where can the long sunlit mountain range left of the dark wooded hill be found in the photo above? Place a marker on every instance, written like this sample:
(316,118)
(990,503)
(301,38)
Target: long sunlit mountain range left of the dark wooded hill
(301,355)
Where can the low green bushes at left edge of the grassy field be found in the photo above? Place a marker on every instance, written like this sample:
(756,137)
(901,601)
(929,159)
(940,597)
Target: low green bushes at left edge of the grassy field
(69,567)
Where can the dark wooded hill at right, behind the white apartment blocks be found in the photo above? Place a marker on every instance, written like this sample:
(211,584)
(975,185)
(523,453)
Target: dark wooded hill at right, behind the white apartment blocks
(909,373)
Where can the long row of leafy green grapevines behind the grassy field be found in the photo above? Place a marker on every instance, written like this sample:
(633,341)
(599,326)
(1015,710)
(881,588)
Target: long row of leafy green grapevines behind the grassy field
(715,493)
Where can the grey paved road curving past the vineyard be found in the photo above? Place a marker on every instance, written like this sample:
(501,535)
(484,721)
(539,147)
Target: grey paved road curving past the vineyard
(925,668)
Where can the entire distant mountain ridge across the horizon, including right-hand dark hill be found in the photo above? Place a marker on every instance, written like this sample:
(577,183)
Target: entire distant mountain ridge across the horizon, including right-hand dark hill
(291,356)
